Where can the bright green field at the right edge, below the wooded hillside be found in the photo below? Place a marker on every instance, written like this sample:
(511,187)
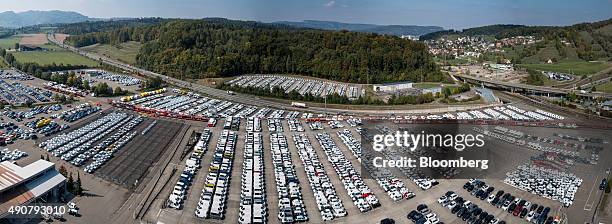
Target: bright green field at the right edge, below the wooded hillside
(578,67)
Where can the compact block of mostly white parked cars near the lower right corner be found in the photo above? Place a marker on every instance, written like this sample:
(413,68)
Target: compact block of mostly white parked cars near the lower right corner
(549,183)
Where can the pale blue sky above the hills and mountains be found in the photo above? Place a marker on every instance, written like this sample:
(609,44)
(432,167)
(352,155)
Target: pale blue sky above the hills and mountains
(450,14)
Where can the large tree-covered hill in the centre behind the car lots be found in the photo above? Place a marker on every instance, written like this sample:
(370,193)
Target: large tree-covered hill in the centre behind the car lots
(218,48)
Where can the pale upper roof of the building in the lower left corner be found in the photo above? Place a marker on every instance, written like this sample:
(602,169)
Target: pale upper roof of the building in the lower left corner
(12,175)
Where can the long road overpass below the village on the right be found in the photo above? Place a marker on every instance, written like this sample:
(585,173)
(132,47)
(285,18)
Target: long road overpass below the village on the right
(519,87)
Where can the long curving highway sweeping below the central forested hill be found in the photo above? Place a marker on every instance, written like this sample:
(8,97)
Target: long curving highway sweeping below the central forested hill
(249,99)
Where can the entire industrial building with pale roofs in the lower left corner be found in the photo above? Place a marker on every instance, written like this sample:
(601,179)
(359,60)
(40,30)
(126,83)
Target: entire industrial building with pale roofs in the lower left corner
(37,182)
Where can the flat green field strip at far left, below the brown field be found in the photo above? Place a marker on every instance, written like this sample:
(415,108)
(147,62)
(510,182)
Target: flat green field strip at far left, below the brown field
(50,57)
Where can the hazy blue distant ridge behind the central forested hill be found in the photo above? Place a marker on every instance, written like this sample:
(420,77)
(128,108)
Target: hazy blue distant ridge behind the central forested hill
(397,30)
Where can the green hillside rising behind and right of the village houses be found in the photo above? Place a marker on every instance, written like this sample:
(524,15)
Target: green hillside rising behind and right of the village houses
(582,42)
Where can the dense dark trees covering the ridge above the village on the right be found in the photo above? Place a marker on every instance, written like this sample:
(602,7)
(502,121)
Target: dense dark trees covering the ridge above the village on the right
(588,39)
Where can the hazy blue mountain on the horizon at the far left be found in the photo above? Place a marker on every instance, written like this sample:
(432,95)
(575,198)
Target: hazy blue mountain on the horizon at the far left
(11,19)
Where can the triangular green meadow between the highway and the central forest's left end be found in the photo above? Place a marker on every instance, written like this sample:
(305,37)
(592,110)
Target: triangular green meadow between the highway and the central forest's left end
(125,52)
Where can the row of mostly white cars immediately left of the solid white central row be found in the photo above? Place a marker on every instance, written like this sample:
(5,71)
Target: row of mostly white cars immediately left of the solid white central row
(213,200)
